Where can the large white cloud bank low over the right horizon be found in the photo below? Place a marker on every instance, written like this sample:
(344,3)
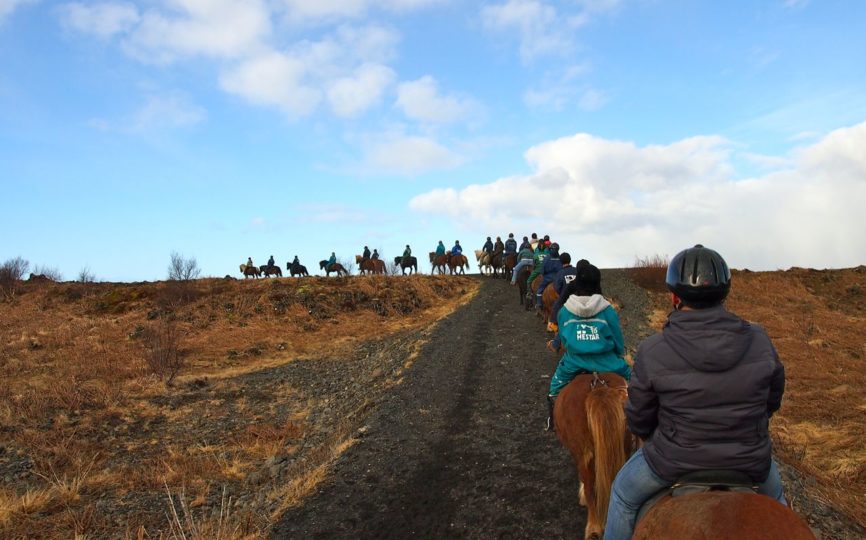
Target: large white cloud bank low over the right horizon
(610,201)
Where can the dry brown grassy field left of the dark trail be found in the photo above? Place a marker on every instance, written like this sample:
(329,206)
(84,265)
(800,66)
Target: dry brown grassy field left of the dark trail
(100,438)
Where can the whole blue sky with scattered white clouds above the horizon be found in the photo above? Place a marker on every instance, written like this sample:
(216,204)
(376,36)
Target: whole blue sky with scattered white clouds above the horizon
(223,129)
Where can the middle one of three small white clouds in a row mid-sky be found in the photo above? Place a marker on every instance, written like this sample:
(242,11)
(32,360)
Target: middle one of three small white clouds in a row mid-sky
(350,96)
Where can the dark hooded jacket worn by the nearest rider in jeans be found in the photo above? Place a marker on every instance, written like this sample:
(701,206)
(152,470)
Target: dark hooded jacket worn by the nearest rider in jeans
(702,392)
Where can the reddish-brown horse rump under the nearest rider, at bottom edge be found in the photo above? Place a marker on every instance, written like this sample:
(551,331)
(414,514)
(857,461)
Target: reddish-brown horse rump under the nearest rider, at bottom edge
(721,515)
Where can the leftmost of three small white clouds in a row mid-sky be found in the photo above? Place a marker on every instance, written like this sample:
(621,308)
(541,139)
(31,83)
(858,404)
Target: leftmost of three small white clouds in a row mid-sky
(273,79)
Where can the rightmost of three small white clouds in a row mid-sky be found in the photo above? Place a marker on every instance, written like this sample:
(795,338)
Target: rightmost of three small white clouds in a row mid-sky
(420,100)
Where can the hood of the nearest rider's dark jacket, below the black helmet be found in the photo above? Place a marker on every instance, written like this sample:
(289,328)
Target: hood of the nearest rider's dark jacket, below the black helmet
(708,339)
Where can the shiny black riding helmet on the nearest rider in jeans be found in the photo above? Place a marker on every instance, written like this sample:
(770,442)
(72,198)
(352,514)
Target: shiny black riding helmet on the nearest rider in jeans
(699,276)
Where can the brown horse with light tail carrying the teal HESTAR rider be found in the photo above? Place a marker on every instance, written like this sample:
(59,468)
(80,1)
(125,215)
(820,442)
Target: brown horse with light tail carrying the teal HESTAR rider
(590,423)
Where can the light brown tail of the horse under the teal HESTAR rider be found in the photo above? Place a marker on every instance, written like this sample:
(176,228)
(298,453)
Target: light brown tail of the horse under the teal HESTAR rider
(606,420)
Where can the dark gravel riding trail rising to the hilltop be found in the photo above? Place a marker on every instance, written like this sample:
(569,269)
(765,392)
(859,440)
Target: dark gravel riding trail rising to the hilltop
(458,449)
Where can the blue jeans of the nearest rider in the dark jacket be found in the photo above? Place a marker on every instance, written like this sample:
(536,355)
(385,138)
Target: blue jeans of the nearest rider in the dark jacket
(636,483)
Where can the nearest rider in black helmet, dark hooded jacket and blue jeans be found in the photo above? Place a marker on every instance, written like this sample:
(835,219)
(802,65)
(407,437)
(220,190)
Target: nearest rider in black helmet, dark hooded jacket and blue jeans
(701,393)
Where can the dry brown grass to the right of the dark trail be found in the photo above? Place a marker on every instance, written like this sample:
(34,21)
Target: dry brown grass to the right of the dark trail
(816,320)
